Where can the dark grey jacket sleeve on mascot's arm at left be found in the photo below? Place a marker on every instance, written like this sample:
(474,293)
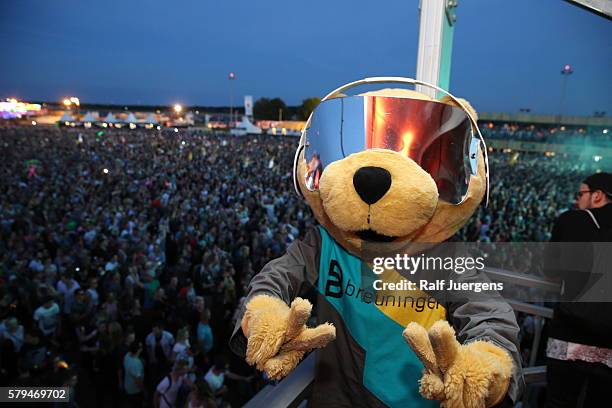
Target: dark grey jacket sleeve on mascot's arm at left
(287,277)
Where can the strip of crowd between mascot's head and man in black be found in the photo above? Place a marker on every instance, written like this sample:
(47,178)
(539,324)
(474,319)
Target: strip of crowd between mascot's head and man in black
(527,192)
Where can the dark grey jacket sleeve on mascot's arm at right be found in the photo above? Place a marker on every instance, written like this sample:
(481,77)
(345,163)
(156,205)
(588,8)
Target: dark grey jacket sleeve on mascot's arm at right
(487,316)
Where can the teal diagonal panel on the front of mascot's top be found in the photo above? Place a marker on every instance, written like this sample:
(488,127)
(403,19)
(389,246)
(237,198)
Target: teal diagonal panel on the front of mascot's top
(391,370)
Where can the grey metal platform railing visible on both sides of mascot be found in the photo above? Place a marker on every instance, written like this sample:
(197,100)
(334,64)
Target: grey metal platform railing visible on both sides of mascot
(293,390)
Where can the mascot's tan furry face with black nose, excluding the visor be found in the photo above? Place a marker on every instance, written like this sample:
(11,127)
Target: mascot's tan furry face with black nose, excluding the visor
(379,200)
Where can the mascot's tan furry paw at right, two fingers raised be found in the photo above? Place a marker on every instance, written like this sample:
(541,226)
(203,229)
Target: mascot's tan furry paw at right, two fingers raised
(476,375)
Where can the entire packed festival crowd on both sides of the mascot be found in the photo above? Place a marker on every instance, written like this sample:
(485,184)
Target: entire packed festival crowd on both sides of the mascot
(124,255)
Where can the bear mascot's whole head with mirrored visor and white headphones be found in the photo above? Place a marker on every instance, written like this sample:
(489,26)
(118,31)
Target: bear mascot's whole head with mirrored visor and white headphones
(390,168)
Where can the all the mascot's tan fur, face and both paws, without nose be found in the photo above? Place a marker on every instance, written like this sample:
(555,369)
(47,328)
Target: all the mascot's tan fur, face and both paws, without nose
(474,375)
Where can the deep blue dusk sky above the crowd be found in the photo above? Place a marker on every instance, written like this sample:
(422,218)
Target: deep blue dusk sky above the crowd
(507,54)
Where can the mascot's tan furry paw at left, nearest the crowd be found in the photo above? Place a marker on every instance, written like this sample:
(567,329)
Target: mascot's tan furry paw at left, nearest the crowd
(277,335)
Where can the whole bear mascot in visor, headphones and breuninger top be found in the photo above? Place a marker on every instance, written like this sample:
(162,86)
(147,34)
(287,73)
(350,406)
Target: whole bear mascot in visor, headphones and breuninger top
(388,172)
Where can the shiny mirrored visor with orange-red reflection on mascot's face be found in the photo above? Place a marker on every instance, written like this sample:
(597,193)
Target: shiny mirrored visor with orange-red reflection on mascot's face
(437,136)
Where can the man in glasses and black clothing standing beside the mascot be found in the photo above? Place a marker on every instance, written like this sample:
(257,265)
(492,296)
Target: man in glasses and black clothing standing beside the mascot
(579,348)
